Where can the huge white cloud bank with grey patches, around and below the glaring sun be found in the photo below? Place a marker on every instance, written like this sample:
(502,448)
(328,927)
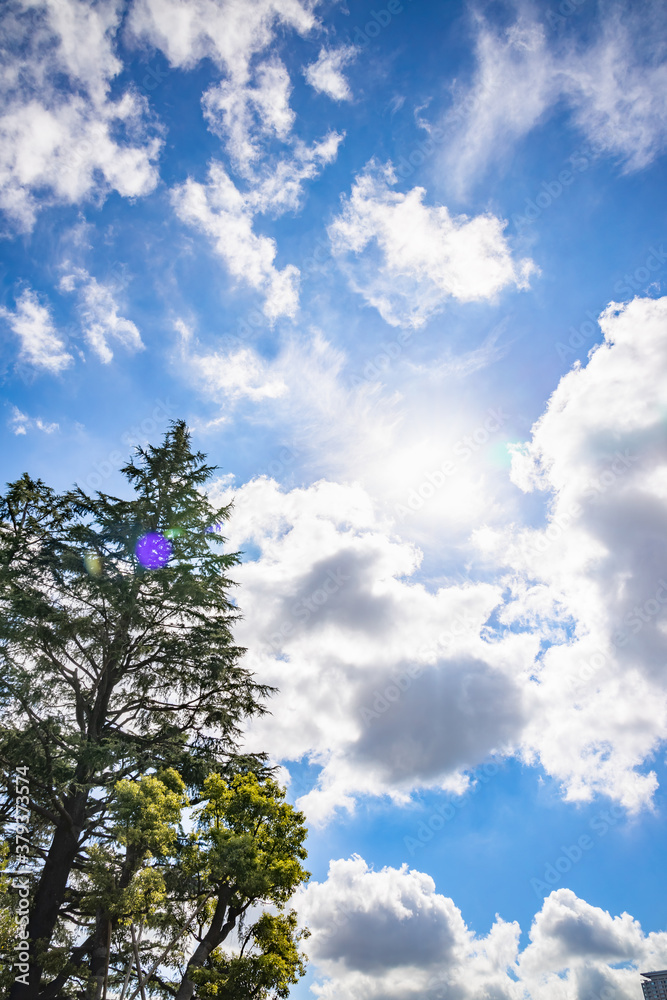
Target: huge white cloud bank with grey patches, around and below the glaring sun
(335,596)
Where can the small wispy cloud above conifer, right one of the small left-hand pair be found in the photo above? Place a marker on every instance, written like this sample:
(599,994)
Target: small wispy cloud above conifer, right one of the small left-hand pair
(99,315)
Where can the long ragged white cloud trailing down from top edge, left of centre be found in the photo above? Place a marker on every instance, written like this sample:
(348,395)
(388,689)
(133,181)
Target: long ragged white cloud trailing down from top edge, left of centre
(249,109)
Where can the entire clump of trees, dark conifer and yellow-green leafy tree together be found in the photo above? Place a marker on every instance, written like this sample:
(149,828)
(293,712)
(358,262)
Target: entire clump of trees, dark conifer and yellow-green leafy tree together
(122,689)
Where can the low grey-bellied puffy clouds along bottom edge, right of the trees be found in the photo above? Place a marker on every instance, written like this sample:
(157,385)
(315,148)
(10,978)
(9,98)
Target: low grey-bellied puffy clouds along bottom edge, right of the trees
(389,935)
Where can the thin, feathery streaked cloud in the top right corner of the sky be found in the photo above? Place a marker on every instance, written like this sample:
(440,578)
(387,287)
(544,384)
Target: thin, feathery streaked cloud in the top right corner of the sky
(614,86)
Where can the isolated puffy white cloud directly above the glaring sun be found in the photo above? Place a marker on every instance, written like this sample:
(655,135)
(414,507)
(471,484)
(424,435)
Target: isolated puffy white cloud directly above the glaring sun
(411,257)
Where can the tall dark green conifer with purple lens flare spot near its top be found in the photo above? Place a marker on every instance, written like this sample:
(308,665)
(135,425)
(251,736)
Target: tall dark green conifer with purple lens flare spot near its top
(117,660)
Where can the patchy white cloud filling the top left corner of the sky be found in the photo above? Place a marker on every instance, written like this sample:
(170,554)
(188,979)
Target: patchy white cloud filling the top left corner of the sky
(73,143)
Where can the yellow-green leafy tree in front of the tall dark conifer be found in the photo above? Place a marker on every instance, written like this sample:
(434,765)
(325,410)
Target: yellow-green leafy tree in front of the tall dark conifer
(244,851)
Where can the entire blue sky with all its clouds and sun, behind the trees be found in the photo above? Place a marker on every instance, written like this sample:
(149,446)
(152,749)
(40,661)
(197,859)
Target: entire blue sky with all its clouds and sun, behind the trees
(402,268)
